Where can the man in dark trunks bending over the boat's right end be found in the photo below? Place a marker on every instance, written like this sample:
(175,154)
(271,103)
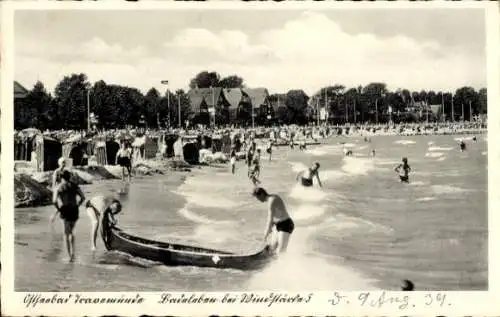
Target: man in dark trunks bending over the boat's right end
(277,216)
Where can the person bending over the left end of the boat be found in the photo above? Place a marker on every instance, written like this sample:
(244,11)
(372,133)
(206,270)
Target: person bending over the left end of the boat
(96,207)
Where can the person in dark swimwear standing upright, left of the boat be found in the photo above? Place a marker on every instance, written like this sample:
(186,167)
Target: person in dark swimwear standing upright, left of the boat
(68,209)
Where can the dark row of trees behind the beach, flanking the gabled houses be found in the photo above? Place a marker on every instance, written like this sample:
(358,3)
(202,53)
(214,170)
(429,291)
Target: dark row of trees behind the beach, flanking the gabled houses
(116,106)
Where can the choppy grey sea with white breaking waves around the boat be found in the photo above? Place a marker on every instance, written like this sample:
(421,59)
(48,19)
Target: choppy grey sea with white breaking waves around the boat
(363,230)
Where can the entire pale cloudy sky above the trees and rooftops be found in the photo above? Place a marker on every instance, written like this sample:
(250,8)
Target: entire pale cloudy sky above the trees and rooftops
(416,49)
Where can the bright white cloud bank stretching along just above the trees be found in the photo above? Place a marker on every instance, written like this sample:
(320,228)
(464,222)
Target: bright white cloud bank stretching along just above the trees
(307,53)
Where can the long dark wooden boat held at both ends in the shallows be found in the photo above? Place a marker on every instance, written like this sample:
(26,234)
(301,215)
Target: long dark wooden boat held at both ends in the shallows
(172,254)
